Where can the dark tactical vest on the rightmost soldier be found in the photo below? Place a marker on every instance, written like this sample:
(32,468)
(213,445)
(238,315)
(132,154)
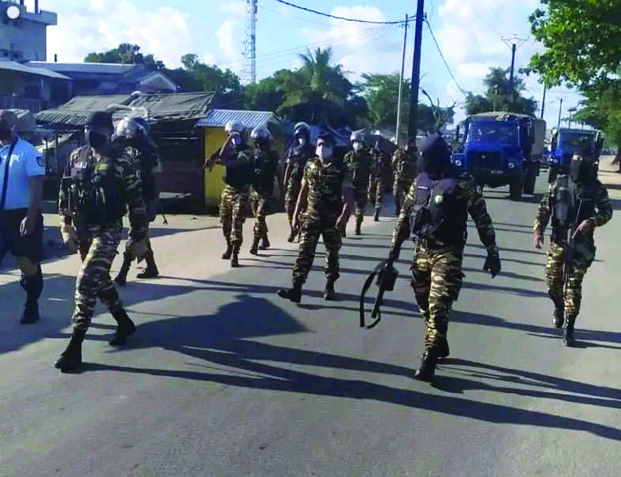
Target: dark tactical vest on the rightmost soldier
(571,205)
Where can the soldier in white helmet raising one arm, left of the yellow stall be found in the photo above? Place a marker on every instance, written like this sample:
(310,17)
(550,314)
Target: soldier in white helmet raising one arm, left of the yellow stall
(236,156)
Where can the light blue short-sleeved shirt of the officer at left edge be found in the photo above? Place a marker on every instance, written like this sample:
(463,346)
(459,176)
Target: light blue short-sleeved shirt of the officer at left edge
(25,162)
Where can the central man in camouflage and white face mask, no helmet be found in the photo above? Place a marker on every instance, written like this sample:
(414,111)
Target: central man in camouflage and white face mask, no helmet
(327,198)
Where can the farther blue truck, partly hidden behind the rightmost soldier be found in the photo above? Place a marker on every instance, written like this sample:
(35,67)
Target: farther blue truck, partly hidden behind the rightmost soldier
(567,142)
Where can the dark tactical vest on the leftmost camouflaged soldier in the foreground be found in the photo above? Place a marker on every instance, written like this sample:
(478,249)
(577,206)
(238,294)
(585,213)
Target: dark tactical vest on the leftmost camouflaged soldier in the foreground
(95,192)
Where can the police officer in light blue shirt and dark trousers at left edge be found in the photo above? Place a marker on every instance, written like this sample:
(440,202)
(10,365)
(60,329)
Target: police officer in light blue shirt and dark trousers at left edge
(22,173)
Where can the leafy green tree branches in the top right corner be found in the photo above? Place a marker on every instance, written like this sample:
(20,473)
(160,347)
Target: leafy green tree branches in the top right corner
(582,41)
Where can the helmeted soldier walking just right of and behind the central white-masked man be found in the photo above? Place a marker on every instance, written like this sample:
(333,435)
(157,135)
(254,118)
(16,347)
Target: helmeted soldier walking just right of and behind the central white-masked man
(358,161)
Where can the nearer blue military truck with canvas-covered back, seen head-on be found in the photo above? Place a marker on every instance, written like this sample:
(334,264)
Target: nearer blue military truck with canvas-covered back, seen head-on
(501,149)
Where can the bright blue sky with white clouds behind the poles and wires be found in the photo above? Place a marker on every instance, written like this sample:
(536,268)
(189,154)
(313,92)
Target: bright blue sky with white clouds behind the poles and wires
(469,34)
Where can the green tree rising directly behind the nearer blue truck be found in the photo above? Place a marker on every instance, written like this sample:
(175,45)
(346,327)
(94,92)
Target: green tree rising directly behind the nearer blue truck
(500,96)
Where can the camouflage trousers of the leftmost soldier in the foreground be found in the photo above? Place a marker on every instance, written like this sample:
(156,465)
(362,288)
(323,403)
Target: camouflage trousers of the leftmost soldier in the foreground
(94,280)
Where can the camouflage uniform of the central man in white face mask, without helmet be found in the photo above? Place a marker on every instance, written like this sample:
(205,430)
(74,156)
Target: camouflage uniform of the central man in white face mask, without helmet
(325,205)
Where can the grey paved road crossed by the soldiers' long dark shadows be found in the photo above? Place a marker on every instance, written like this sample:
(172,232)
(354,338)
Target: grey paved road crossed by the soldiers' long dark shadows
(224,378)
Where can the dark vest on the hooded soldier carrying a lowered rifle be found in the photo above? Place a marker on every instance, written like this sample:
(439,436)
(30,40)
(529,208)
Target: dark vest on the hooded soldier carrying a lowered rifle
(437,214)
